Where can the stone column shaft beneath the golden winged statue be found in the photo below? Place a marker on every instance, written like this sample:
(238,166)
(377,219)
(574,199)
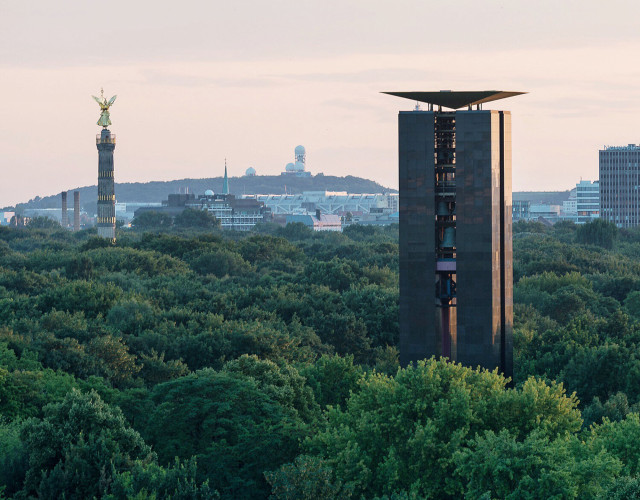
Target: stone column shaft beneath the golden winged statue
(106,143)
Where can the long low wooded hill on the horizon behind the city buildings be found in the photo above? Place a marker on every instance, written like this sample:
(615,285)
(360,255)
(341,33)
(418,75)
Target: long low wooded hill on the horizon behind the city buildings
(156,191)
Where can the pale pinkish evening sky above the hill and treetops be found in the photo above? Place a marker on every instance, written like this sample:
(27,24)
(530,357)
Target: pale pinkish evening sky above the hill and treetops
(248,80)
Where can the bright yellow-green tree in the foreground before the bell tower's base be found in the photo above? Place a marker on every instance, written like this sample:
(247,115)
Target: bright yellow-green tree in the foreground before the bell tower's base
(401,433)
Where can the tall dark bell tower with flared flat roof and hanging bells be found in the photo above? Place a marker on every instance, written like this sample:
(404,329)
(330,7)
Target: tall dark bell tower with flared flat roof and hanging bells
(456,276)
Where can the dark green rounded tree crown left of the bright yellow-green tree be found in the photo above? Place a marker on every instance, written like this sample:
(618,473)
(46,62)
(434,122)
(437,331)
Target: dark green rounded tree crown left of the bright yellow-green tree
(235,429)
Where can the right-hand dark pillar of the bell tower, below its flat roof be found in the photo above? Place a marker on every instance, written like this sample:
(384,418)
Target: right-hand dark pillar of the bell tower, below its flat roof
(484,254)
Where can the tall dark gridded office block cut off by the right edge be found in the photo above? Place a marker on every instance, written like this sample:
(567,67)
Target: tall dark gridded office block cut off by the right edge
(620,185)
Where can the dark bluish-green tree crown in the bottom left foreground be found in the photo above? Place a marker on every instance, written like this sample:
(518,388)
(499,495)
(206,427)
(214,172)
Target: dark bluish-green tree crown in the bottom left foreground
(74,451)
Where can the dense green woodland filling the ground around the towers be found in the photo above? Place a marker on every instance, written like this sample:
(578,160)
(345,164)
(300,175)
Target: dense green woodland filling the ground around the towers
(195,363)
